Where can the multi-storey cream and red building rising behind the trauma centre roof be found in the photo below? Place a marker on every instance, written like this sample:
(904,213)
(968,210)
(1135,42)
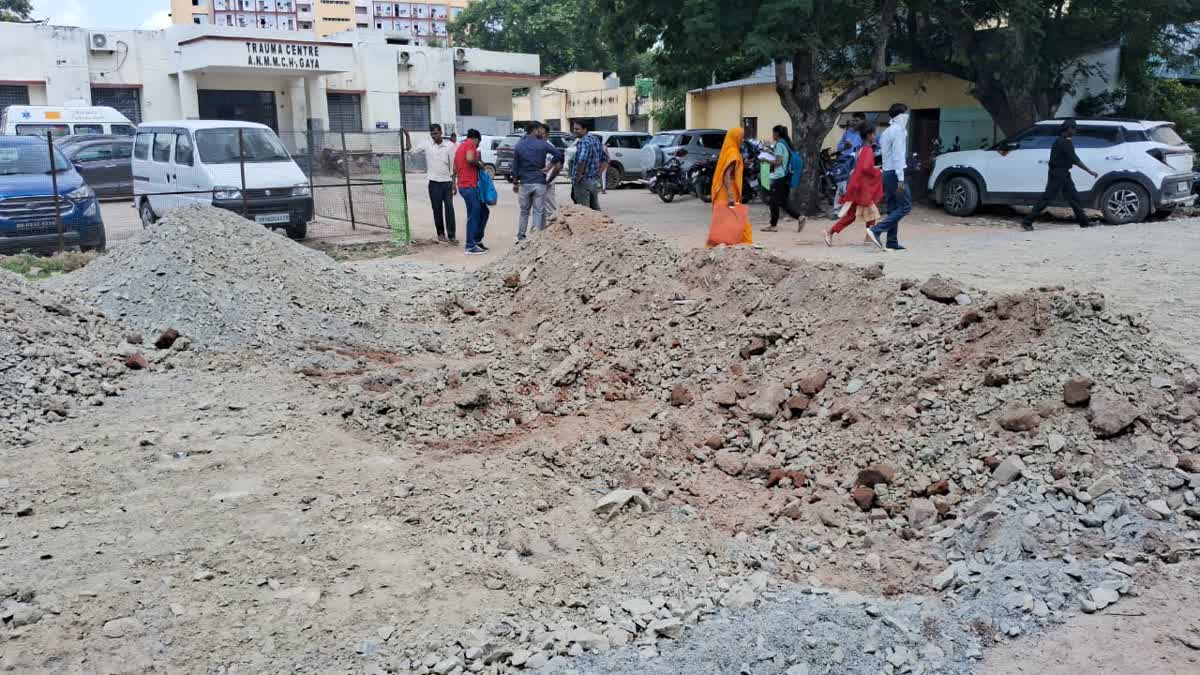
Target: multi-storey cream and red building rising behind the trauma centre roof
(422,22)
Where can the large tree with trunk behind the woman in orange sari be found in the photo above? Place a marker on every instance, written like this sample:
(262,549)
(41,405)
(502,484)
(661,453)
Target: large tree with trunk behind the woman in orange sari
(837,49)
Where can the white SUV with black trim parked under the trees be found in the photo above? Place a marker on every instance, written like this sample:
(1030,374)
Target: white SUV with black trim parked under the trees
(1144,169)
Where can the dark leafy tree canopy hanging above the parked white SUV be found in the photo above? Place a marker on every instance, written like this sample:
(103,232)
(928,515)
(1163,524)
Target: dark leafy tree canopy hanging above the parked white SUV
(1024,56)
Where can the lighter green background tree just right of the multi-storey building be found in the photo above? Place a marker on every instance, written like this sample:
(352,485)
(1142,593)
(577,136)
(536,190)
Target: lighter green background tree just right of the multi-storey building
(563,33)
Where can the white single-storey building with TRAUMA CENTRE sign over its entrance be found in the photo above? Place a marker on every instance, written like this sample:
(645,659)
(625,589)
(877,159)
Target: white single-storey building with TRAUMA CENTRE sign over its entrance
(357,81)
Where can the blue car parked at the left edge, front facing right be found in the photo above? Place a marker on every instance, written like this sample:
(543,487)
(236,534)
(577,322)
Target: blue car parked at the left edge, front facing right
(27,200)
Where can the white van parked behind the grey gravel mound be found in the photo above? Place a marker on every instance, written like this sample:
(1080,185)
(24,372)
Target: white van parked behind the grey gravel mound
(177,164)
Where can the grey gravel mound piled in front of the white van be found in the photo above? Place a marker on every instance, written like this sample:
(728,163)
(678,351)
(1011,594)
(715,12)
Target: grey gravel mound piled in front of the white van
(224,282)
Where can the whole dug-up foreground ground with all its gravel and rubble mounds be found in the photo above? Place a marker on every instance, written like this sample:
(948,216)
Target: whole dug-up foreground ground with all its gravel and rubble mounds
(599,453)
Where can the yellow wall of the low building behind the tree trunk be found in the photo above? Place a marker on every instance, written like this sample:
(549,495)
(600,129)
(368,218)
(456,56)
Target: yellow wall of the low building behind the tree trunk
(724,109)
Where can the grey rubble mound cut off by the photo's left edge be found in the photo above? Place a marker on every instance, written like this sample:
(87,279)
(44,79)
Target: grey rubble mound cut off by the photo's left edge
(55,359)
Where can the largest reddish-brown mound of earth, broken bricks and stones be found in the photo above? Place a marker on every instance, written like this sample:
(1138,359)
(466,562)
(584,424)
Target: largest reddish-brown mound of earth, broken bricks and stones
(751,368)
